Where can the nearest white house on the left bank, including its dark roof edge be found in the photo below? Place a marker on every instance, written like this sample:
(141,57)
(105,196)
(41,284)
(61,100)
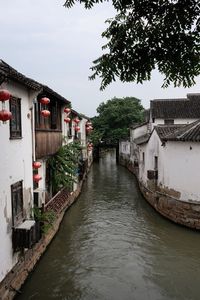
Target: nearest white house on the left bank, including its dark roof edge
(16,175)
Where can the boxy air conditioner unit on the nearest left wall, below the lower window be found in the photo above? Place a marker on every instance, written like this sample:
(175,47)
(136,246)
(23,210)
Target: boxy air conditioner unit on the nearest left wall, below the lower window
(26,234)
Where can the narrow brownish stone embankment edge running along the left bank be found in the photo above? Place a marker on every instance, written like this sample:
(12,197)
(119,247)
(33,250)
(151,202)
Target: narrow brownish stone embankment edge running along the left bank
(11,284)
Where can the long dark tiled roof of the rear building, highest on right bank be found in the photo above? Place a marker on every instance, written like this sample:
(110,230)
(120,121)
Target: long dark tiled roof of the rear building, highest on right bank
(176,108)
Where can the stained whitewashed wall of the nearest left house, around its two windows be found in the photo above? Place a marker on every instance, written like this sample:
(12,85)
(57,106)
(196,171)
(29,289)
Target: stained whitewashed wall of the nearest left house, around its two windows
(15,165)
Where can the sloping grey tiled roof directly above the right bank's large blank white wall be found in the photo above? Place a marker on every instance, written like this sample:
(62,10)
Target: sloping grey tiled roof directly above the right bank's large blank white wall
(187,133)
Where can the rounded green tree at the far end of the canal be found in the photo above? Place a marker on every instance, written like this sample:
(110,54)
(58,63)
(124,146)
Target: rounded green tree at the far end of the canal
(114,119)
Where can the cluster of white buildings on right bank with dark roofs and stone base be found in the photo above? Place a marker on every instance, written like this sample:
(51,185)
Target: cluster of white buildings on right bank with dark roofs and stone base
(167,151)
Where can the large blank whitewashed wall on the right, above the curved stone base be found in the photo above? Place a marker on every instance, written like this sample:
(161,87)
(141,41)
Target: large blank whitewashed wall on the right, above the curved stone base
(181,169)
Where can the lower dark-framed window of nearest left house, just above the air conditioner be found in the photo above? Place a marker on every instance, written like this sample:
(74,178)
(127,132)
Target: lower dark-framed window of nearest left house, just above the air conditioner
(17,203)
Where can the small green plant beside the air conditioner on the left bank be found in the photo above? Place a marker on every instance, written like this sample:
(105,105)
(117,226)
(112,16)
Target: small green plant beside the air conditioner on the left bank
(46,218)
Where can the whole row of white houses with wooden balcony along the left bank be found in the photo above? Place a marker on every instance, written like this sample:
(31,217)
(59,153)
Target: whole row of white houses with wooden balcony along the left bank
(27,138)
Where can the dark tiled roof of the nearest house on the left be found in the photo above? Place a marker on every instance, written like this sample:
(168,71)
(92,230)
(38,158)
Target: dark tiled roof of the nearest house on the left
(7,72)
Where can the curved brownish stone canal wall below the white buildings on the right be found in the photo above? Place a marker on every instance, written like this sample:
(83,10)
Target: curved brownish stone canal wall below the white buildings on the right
(185,213)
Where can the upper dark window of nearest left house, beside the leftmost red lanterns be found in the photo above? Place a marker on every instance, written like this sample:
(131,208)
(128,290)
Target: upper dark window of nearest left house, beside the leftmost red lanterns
(15,122)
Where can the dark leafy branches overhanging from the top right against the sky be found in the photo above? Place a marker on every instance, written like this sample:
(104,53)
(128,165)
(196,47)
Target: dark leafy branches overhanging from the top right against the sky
(149,34)
